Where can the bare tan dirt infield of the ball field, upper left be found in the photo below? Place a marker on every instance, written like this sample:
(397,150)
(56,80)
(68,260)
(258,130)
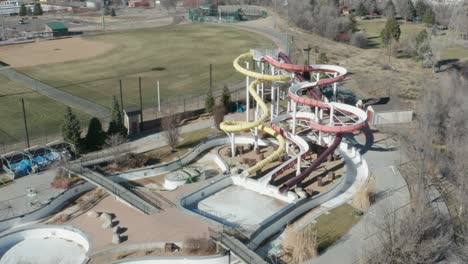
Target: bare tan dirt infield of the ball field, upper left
(53,51)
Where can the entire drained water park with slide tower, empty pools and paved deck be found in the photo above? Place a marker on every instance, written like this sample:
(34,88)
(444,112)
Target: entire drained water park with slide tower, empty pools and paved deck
(281,153)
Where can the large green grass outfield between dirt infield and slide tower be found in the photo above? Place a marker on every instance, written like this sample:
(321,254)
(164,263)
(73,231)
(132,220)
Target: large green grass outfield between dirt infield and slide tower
(178,56)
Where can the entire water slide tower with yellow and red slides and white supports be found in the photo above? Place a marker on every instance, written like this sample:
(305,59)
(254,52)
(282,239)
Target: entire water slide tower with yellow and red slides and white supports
(328,121)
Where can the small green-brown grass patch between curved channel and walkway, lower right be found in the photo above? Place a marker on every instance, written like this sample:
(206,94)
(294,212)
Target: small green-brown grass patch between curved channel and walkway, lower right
(331,227)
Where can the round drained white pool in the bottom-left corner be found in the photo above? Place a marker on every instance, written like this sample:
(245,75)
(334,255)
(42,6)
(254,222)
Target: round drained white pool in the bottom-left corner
(44,244)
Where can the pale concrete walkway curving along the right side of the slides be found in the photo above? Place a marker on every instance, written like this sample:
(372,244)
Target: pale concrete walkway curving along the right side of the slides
(392,194)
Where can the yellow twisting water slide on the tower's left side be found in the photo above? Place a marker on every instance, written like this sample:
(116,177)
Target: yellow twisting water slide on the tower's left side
(238,126)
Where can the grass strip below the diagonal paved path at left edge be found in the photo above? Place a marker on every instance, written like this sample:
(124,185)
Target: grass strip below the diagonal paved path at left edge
(44,115)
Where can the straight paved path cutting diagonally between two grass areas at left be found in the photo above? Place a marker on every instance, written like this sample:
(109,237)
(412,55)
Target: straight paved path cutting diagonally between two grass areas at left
(68,99)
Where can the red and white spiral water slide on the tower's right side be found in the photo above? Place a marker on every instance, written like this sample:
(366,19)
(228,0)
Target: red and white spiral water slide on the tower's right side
(355,117)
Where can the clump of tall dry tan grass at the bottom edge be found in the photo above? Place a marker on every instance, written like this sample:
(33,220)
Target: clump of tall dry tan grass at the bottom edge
(300,245)
